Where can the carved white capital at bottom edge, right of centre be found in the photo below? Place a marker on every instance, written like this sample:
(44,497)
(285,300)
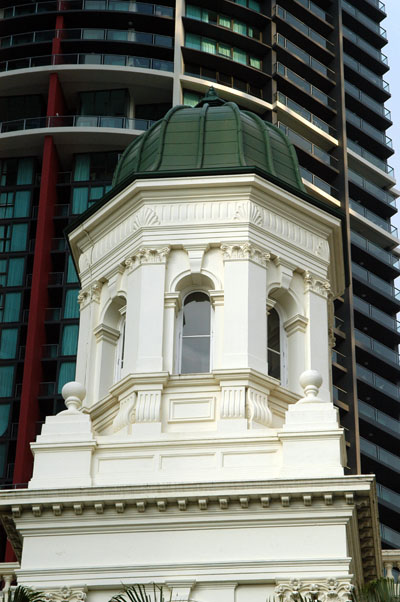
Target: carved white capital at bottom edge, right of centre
(328,590)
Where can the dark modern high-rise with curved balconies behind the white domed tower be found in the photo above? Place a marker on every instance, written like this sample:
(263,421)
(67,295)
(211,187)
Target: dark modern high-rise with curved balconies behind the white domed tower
(80,79)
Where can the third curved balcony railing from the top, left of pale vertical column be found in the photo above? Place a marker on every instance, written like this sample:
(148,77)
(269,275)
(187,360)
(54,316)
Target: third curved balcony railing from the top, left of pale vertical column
(117,60)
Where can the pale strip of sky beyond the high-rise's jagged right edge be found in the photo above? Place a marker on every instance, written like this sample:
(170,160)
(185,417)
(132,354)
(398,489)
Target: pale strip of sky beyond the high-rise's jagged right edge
(392,50)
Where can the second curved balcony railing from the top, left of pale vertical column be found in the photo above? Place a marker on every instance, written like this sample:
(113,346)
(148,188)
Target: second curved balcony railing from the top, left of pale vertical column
(113,35)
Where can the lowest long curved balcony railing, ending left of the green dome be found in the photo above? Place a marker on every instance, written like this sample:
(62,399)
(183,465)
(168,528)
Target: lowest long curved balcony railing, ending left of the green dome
(61,121)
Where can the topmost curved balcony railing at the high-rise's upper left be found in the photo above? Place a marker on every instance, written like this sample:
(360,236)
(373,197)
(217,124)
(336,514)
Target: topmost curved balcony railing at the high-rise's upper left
(142,8)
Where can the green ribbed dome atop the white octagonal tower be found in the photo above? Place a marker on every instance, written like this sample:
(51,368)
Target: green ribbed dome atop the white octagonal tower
(212,137)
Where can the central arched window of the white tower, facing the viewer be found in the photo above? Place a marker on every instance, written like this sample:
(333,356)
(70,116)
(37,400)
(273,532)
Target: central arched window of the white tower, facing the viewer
(195,334)
